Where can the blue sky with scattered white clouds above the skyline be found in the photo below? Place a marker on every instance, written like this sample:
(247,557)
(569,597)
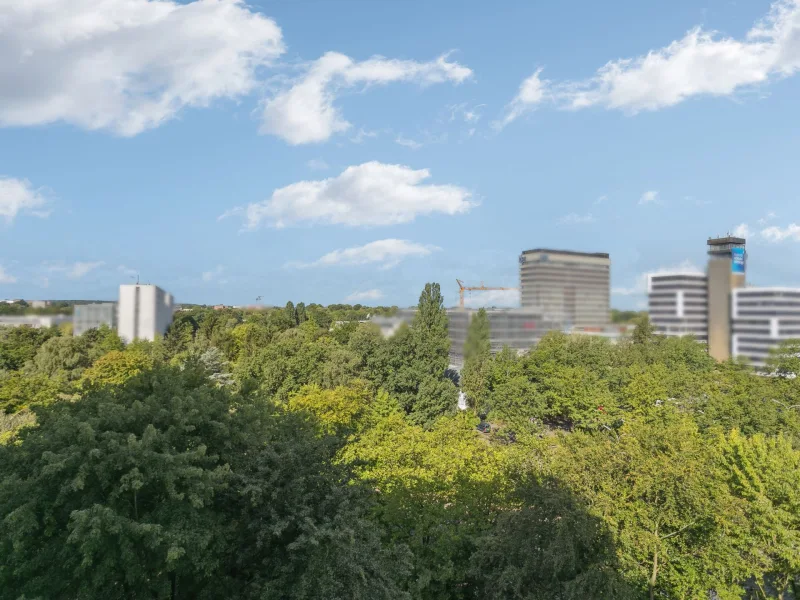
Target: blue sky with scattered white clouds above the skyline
(351,151)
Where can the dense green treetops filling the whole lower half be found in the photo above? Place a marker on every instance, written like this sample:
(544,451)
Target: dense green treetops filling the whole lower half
(295,453)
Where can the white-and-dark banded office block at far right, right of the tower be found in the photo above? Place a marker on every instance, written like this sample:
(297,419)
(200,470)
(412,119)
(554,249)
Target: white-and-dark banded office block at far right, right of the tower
(762,319)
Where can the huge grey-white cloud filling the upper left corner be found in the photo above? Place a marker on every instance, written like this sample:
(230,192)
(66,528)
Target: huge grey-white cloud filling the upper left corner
(126,65)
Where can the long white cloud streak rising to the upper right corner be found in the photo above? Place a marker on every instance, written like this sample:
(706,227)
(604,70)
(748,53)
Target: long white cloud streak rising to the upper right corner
(700,63)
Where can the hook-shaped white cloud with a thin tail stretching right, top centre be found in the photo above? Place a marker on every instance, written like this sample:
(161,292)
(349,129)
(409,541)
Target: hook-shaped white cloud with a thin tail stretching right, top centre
(306,112)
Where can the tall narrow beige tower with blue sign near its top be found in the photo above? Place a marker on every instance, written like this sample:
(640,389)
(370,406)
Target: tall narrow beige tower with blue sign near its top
(726,272)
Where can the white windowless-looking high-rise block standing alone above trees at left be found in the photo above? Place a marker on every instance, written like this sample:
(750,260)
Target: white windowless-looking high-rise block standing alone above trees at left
(145,311)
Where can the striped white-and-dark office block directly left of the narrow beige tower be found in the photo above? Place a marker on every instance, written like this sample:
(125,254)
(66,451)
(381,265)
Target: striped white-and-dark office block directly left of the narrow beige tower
(678,304)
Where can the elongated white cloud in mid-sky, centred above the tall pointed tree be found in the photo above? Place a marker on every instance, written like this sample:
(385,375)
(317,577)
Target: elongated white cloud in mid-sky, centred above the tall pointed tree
(372,193)
